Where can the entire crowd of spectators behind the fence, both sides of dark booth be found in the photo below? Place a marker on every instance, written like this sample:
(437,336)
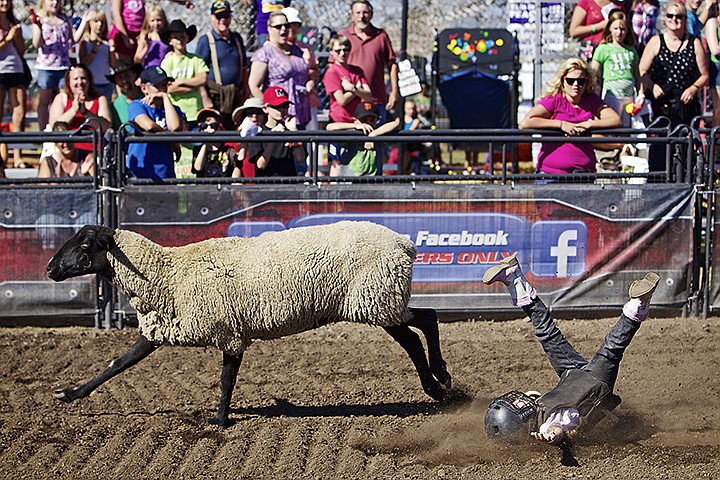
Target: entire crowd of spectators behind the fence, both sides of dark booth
(136,67)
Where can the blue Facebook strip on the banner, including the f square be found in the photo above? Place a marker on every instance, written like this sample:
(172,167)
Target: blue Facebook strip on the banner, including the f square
(459,247)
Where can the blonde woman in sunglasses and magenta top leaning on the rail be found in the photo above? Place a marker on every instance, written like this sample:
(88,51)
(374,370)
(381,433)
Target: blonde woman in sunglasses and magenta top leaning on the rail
(572,105)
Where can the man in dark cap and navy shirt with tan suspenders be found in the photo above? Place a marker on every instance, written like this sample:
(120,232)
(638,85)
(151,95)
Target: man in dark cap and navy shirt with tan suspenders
(224,52)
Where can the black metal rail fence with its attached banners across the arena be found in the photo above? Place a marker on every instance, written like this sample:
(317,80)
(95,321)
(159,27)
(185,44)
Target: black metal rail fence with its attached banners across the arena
(623,222)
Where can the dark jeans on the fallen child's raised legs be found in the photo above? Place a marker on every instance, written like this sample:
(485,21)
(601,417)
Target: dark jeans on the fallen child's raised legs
(562,355)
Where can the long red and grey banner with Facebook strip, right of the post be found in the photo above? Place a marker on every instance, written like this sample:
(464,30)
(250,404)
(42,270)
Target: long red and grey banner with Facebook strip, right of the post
(580,245)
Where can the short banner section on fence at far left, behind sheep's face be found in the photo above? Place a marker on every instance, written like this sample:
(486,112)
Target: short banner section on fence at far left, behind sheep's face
(35,222)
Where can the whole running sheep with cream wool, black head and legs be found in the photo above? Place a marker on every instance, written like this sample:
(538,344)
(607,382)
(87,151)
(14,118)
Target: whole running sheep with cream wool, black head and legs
(227,292)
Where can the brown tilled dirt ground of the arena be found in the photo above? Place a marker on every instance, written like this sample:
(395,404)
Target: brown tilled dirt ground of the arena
(344,402)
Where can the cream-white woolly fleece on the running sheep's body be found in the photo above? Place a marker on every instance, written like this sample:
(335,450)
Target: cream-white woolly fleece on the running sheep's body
(226,292)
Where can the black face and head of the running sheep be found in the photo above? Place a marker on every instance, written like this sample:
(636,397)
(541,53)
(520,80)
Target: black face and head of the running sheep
(84,253)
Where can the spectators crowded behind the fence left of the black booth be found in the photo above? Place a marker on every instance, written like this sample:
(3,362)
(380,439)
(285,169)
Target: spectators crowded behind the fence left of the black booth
(134,68)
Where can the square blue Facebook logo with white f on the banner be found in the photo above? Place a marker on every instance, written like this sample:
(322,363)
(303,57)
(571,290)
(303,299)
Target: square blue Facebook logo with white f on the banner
(558,249)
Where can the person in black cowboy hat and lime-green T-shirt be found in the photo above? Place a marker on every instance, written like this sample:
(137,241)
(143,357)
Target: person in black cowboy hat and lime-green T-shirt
(188,90)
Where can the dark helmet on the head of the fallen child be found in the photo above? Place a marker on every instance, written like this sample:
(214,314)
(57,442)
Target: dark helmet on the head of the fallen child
(507,417)
